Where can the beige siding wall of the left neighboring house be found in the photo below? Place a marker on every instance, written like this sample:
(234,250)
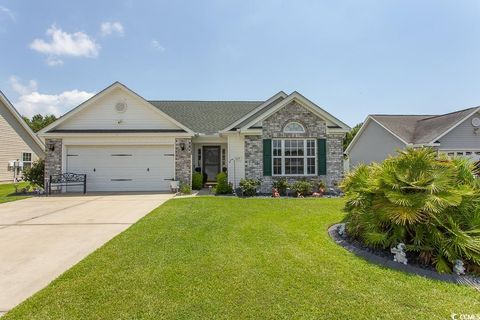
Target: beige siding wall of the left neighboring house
(12,143)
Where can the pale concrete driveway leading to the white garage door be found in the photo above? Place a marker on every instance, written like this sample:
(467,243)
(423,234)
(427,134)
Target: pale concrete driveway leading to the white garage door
(40,238)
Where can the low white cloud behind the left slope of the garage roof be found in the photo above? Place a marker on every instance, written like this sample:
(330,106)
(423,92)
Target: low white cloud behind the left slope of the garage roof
(31,102)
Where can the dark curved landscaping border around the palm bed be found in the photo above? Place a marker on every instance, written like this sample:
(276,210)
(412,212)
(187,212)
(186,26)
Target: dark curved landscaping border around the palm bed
(389,263)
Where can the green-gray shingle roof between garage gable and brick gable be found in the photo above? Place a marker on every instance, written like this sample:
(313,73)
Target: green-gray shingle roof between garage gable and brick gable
(206,116)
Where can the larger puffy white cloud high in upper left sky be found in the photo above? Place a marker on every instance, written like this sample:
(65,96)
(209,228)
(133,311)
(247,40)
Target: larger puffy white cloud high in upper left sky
(76,44)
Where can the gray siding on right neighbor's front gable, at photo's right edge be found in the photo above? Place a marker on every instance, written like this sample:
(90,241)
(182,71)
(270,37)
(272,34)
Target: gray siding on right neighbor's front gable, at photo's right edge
(462,137)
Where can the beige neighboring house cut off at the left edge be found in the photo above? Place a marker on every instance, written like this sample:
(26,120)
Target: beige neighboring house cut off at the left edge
(19,146)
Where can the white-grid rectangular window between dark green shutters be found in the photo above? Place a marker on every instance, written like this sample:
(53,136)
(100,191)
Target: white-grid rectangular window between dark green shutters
(294,157)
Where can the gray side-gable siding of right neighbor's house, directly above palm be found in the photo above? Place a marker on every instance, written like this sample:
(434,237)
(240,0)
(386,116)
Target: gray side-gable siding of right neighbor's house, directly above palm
(374,145)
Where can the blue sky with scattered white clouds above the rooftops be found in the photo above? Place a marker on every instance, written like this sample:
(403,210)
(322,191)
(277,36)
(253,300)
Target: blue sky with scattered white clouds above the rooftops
(350,57)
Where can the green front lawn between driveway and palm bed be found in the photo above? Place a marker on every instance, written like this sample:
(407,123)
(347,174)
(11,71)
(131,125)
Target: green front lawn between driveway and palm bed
(239,258)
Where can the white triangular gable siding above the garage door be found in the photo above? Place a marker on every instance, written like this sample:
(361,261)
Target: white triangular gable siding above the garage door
(102,115)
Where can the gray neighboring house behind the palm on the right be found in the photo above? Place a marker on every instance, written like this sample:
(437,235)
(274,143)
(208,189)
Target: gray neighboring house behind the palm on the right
(456,134)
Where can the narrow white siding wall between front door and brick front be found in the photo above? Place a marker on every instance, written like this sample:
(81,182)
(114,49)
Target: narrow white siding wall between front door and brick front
(236,150)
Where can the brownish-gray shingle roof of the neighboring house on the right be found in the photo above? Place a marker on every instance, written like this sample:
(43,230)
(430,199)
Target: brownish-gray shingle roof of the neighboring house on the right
(421,129)
